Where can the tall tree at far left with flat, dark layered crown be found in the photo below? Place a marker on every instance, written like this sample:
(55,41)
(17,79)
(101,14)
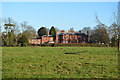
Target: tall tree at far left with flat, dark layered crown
(9,36)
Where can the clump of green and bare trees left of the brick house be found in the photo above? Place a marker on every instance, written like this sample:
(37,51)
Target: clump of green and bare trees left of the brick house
(14,34)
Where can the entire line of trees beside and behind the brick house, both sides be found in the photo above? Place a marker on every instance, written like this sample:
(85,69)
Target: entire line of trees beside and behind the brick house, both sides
(14,34)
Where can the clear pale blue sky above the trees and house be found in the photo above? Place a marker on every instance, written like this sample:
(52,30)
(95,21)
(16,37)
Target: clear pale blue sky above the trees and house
(62,15)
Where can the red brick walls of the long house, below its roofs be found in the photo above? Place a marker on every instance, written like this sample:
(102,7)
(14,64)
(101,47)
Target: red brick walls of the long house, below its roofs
(63,39)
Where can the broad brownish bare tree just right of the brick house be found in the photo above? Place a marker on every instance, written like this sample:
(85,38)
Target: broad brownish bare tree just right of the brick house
(100,34)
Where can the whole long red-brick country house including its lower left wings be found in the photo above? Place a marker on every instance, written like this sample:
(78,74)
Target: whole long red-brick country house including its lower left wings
(62,37)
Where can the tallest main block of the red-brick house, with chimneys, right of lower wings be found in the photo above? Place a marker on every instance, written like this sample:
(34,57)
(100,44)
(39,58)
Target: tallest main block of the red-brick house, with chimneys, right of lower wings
(72,37)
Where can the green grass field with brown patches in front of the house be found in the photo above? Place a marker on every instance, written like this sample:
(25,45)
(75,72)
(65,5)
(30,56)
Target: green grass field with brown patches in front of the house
(51,62)
